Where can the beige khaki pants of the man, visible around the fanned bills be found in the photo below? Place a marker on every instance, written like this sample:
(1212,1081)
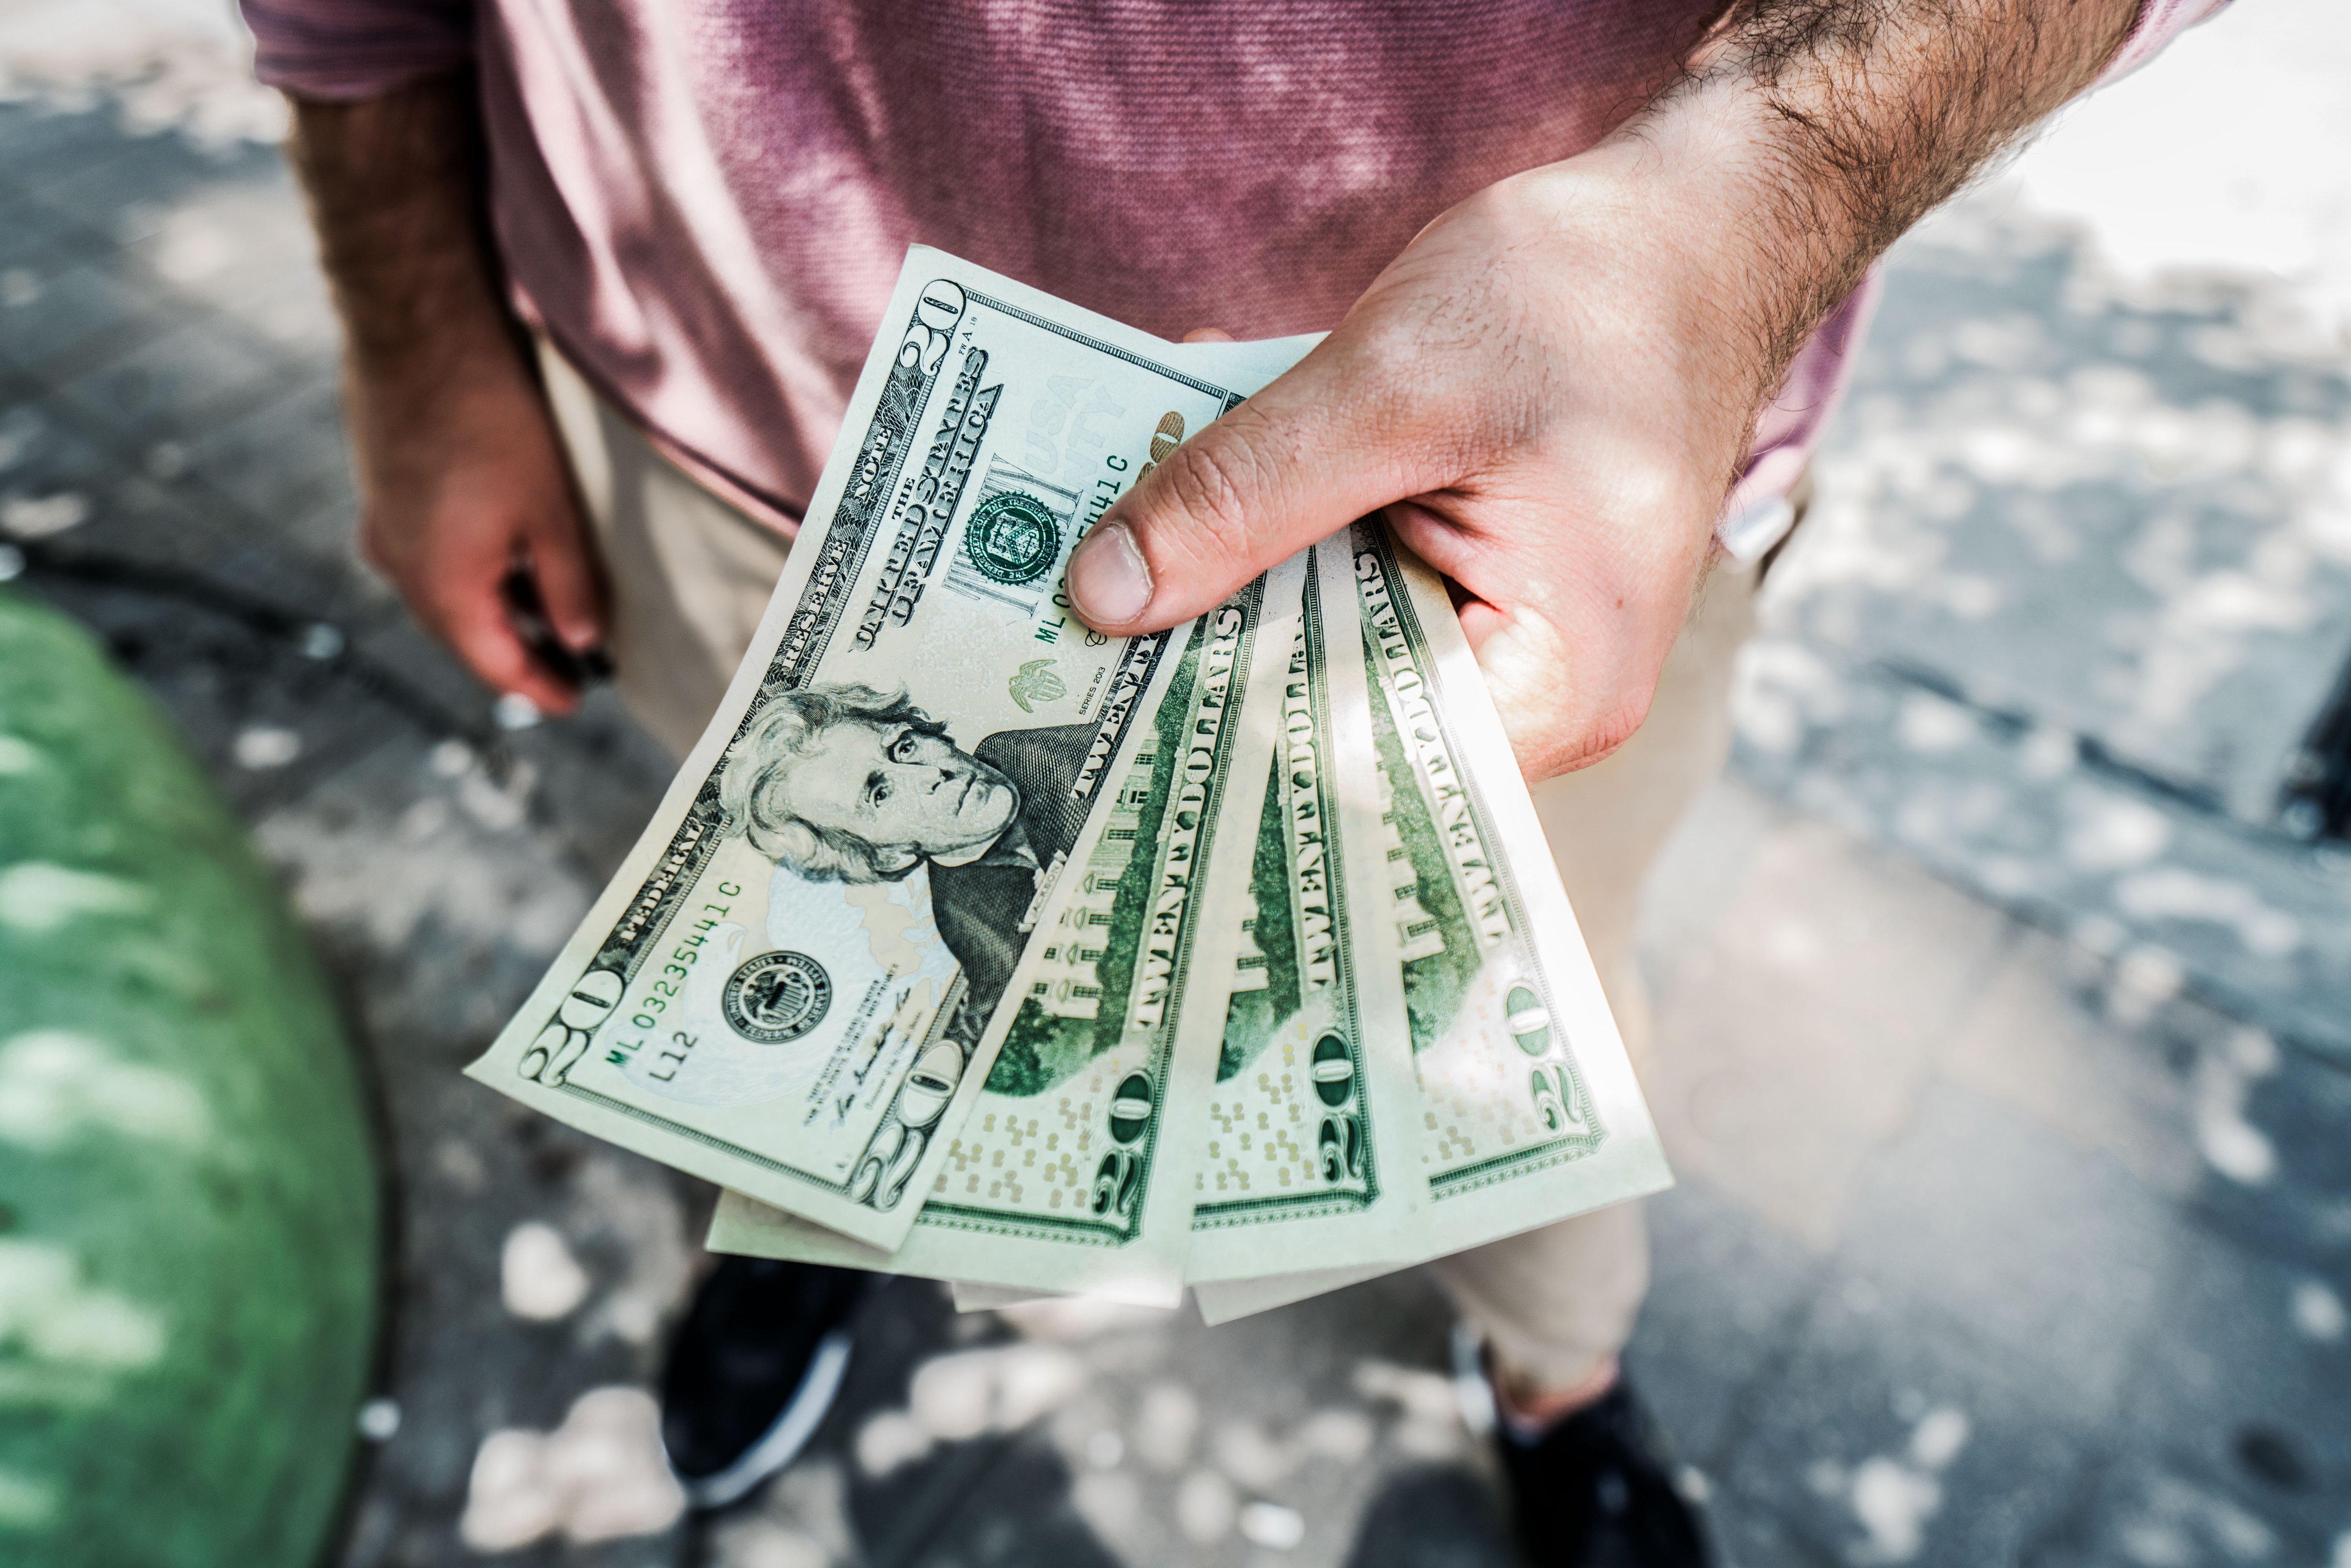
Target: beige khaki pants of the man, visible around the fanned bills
(690,577)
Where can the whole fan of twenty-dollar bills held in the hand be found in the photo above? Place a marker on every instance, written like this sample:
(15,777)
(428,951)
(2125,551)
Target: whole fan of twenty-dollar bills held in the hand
(986,946)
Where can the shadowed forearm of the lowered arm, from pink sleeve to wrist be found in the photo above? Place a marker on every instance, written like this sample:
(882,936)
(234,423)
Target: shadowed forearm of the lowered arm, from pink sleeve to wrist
(396,199)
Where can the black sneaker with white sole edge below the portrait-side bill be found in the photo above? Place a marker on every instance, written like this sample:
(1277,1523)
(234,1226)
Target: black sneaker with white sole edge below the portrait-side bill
(753,1372)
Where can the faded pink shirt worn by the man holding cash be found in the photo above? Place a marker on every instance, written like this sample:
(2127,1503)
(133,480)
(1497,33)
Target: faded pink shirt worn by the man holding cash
(704,206)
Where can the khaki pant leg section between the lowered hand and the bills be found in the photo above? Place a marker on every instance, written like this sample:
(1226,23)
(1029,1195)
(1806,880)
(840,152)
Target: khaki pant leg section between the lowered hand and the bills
(688,575)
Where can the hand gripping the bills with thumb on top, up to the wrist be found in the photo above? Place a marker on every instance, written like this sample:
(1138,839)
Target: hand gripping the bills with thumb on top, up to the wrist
(1527,396)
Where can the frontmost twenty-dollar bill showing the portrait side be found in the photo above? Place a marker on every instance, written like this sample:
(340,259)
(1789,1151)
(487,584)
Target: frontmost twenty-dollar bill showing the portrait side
(796,981)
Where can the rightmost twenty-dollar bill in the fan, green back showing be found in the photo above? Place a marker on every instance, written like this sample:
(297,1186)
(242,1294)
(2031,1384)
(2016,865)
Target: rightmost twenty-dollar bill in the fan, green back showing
(1527,1101)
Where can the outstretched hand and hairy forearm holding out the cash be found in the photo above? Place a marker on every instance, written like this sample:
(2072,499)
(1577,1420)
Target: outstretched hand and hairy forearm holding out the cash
(1555,387)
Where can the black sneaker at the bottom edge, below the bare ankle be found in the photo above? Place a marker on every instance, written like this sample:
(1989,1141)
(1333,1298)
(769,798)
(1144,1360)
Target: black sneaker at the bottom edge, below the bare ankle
(1607,1470)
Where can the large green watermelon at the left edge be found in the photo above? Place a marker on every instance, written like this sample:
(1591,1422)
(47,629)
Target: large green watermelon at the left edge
(189,1202)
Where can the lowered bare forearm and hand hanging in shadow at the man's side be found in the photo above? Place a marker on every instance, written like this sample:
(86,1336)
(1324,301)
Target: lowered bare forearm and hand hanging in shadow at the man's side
(462,481)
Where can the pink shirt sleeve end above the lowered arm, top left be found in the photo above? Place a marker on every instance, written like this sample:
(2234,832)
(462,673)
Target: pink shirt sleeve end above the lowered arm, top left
(347,51)
